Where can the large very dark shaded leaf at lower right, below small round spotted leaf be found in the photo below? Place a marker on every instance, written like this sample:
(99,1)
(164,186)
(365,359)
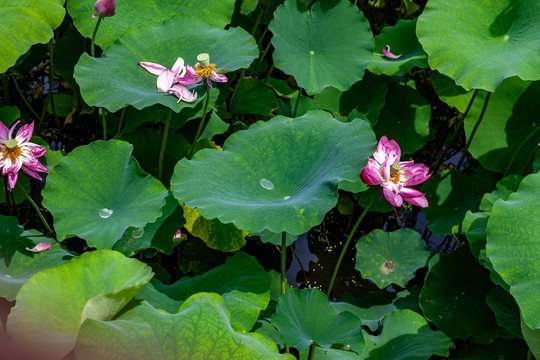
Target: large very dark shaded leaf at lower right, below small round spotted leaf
(454,295)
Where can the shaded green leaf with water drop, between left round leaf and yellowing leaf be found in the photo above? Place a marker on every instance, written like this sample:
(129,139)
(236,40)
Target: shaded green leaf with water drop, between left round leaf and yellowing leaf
(157,235)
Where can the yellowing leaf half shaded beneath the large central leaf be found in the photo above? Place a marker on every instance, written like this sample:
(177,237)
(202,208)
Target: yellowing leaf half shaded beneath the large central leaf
(218,236)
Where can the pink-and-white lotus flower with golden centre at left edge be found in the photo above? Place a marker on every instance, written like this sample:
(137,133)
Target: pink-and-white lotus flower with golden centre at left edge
(19,153)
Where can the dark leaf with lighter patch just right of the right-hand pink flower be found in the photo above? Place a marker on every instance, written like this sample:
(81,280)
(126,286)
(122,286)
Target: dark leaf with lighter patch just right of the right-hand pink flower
(450,195)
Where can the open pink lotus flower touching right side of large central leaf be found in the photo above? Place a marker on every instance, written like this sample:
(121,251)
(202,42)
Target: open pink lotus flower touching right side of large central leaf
(394,176)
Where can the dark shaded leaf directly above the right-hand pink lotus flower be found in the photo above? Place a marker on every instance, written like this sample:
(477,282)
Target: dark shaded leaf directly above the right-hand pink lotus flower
(404,118)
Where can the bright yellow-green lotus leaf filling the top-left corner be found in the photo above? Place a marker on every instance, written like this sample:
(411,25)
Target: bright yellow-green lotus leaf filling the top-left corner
(17,36)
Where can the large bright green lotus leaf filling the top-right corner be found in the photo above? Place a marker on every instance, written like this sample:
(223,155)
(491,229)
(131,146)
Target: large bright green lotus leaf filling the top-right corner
(481,43)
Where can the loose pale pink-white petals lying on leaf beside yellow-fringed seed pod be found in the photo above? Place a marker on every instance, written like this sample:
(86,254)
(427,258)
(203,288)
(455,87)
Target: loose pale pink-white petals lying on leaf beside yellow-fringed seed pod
(167,79)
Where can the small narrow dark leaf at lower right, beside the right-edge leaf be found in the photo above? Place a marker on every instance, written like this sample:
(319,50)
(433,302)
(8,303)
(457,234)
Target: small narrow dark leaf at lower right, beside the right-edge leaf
(505,309)
